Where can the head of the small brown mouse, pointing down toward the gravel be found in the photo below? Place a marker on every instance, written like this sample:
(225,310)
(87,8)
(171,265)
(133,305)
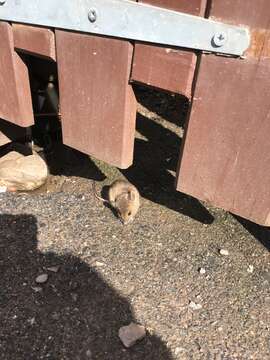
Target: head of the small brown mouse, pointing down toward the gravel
(127,207)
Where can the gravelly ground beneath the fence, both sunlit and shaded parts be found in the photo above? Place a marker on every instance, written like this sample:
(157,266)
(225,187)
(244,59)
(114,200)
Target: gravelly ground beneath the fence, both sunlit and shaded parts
(147,272)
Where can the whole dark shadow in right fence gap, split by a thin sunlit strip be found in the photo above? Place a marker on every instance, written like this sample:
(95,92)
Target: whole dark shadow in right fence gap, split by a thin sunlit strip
(157,156)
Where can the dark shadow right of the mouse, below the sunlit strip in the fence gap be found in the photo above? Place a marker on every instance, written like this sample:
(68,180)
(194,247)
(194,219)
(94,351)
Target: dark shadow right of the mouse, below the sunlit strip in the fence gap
(150,171)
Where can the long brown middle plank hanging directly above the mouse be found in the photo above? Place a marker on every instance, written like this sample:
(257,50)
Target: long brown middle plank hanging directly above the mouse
(98,106)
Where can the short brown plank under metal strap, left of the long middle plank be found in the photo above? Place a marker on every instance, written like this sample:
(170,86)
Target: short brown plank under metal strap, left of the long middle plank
(34,40)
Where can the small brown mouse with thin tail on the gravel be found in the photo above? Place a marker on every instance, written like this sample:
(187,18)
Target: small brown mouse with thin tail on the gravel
(124,198)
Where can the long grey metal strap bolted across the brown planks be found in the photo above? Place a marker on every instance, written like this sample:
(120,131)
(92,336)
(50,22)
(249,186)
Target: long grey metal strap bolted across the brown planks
(129,20)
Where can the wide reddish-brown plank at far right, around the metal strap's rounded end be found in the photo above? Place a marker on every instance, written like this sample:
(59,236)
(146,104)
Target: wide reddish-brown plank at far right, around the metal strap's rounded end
(226,154)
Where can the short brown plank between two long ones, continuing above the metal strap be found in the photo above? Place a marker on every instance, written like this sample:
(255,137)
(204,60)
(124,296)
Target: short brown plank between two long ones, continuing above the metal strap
(167,68)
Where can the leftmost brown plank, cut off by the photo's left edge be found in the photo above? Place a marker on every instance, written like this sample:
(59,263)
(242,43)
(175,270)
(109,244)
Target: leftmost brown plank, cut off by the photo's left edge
(15,94)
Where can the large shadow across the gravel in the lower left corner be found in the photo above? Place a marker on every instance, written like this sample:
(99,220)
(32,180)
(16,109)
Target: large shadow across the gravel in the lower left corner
(75,315)
